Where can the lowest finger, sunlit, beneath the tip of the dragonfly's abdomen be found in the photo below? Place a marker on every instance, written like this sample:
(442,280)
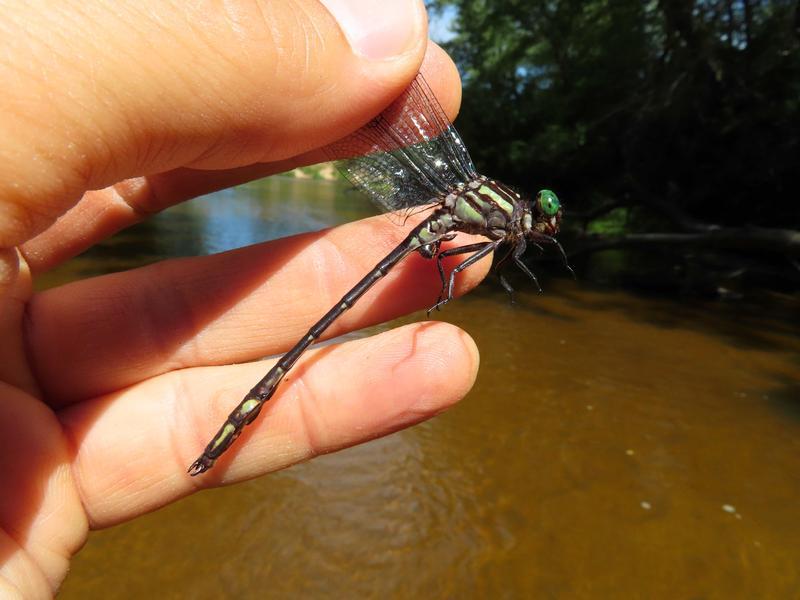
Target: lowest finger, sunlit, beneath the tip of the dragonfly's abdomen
(338,396)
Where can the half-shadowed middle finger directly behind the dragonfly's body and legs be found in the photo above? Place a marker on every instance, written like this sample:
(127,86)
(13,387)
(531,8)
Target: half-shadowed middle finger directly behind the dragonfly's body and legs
(98,335)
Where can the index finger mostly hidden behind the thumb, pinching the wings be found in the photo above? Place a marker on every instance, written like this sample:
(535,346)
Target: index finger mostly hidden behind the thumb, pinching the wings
(102,213)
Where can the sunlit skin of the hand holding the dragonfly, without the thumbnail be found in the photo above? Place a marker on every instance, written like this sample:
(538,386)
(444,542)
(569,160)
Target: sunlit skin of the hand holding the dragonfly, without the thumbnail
(110,387)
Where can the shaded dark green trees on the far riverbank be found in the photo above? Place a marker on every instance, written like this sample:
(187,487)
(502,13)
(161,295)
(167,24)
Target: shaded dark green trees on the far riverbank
(691,103)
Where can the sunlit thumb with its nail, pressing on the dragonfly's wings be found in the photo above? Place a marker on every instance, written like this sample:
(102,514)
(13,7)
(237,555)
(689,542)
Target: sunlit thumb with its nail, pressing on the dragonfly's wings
(146,87)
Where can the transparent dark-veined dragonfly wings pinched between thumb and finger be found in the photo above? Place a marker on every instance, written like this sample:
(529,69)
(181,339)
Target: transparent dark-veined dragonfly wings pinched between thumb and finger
(409,155)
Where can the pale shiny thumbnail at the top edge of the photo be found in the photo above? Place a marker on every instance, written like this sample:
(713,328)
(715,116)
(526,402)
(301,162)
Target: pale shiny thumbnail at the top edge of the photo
(378,29)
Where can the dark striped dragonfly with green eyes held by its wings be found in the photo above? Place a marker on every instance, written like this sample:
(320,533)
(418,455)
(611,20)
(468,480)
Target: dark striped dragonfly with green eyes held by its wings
(409,158)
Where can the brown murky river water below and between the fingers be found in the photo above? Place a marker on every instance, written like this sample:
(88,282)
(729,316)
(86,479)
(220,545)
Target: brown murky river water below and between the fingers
(613,447)
